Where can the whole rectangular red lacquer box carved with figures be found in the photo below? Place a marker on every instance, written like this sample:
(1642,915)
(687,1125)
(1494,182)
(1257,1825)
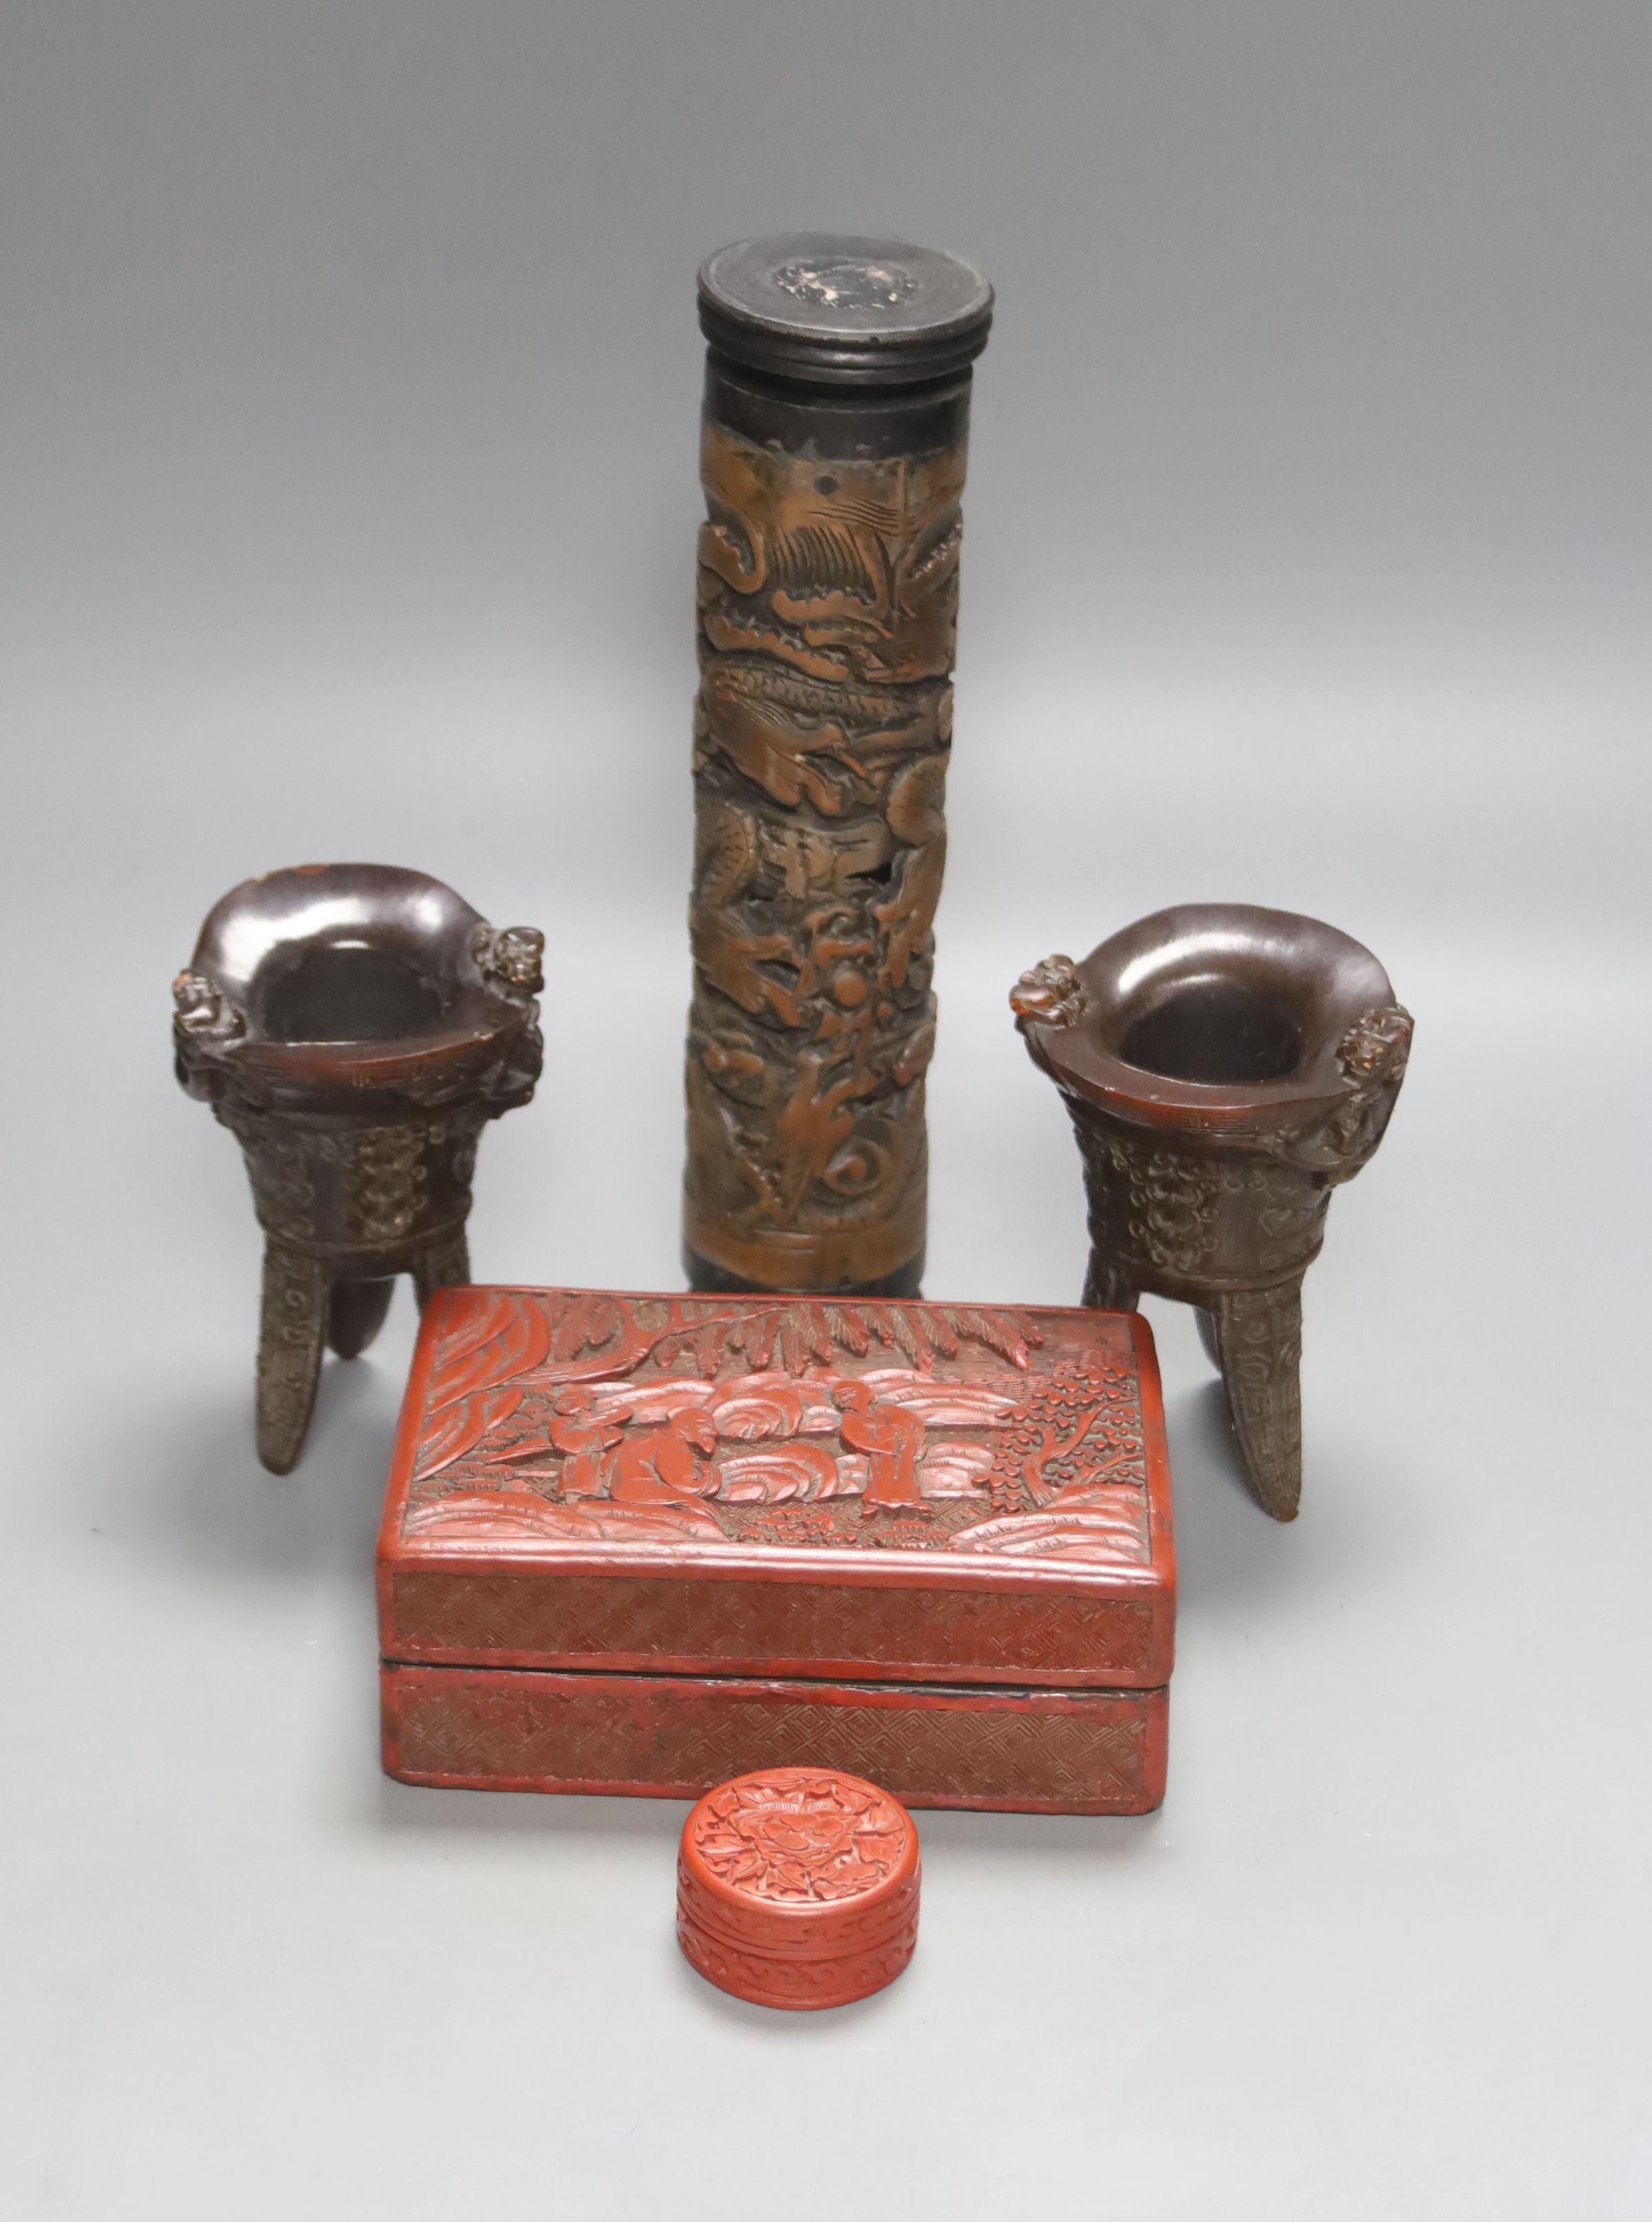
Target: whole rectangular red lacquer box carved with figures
(647,1543)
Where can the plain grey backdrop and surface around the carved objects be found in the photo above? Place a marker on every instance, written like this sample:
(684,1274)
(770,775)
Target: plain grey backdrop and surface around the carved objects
(350,492)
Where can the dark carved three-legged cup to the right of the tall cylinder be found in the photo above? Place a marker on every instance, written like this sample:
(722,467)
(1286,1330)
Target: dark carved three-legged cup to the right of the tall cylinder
(1225,1068)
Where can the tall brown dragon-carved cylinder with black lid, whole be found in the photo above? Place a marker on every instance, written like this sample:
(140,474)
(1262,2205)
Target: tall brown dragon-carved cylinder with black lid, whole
(834,441)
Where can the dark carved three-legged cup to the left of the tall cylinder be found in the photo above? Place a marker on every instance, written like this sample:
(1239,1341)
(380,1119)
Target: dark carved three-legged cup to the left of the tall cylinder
(354,1028)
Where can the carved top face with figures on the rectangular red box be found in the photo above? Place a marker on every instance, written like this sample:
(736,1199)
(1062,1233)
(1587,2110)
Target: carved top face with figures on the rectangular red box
(590,1419)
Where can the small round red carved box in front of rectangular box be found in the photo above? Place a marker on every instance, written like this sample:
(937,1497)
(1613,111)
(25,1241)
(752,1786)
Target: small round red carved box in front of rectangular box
(798,1888)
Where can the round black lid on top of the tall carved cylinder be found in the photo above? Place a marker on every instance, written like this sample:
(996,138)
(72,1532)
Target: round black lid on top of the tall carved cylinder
(845,312)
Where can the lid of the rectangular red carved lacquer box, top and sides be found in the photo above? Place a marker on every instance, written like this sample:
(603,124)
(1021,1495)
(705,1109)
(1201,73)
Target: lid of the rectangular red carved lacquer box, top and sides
(816,1443)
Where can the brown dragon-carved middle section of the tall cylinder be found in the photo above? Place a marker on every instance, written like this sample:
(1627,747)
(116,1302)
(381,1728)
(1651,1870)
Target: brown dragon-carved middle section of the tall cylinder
(827,625)
